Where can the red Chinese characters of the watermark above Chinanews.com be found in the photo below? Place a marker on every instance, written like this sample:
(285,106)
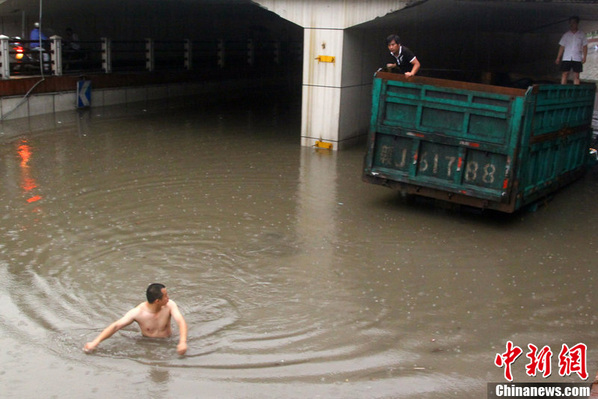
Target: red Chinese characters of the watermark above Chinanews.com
(572,360)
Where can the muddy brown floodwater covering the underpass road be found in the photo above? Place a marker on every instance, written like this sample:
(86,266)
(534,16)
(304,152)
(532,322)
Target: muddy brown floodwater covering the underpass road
(297,280)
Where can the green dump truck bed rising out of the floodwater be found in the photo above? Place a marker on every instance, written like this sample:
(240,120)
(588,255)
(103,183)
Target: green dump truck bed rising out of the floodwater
(474,144)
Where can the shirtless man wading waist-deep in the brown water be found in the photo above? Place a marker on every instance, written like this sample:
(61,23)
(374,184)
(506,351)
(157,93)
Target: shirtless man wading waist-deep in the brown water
(153,318)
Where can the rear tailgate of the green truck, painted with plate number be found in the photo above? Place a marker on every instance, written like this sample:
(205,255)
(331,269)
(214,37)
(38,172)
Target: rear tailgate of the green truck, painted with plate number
(447,138)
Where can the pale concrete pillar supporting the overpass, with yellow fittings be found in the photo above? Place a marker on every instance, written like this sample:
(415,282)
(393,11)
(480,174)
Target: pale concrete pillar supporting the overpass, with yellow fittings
(335,103)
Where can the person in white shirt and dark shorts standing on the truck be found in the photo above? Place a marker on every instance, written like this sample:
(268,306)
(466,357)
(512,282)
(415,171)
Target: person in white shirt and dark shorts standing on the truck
(573,51)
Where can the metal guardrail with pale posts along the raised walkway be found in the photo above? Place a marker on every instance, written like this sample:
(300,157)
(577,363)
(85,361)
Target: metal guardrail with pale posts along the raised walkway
(24,57)
